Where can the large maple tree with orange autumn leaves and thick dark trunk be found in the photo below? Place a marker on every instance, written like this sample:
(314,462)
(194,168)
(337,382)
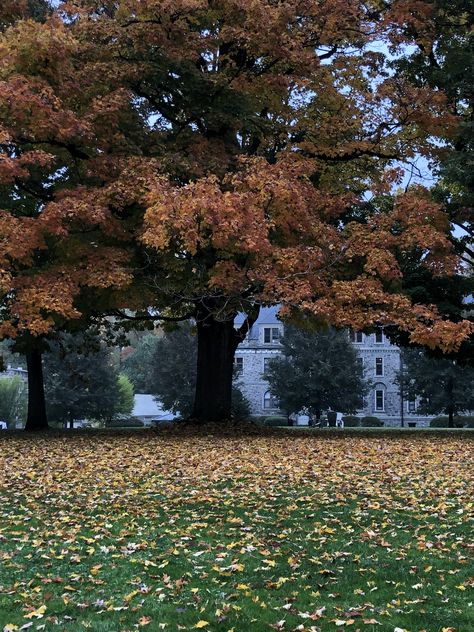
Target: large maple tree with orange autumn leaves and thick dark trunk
(203,157)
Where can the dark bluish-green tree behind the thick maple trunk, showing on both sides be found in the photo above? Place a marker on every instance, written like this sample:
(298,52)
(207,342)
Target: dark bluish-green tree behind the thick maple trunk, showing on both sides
(173,373)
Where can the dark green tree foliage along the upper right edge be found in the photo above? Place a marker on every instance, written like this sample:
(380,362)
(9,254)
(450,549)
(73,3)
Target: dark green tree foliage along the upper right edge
(442,58)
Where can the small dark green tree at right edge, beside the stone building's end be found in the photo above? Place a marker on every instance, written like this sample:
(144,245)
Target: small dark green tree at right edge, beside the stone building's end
(441,384)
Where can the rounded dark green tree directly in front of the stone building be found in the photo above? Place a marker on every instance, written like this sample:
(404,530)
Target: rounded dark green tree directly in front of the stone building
(317,371)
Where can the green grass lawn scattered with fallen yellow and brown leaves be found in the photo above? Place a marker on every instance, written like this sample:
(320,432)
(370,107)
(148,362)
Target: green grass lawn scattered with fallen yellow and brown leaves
(287,531)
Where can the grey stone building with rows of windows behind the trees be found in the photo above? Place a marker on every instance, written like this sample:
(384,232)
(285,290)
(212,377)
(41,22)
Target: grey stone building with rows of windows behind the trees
(380,360)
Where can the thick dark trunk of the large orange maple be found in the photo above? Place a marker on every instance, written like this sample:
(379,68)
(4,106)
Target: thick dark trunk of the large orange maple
(217,342)
